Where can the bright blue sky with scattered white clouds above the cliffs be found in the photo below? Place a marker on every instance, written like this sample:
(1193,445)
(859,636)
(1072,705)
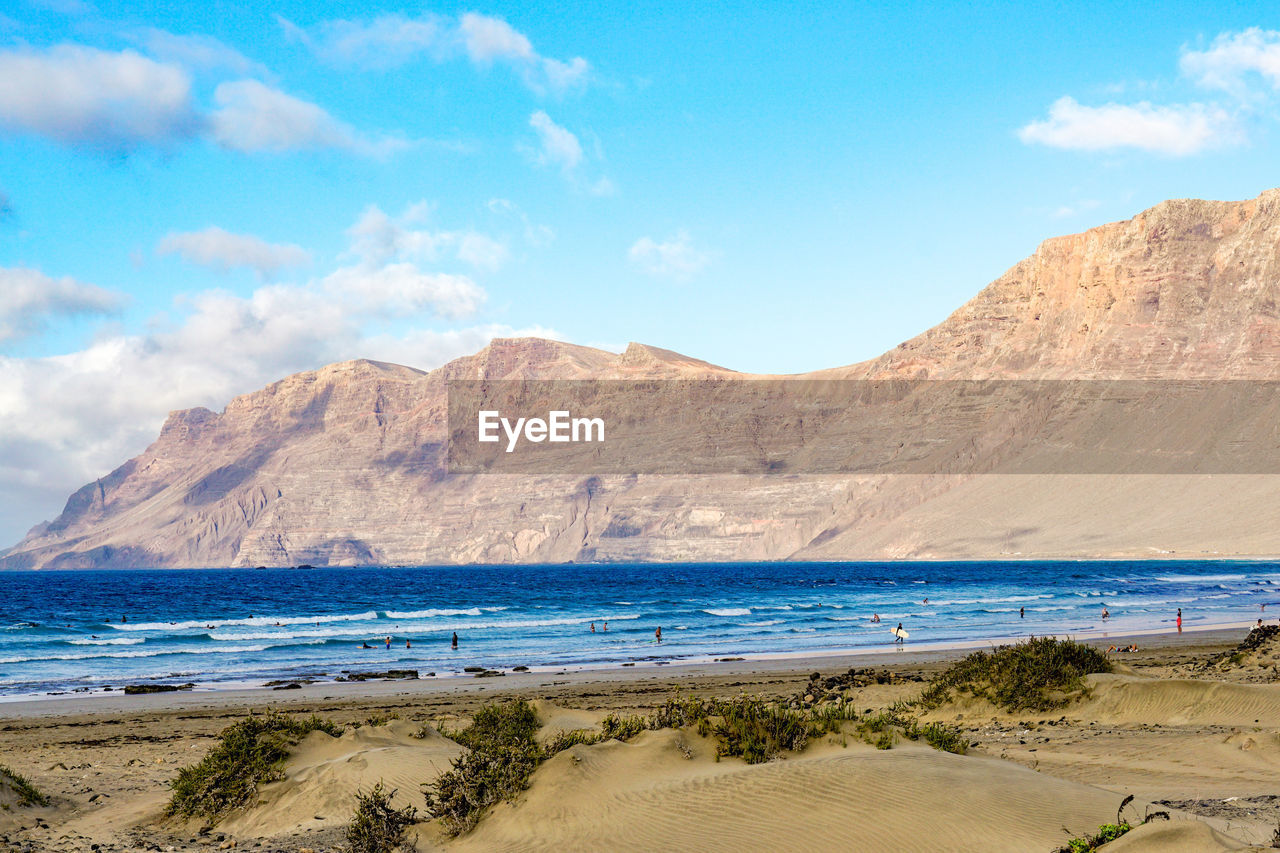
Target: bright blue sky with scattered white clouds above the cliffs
(200,199)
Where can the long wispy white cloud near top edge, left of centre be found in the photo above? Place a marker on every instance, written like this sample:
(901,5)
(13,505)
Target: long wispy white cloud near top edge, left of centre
(392,40)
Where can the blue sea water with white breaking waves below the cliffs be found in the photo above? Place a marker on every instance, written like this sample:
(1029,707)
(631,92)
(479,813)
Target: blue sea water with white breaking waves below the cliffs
(66,631)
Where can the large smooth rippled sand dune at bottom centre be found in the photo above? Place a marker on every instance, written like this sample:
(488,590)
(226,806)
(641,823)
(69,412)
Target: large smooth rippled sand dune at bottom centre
(648,796)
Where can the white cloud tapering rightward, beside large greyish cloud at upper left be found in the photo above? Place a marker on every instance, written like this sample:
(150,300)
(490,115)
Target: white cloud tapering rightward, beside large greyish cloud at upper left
(254,117)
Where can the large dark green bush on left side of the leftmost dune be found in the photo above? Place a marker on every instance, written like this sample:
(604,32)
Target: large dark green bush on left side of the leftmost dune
(249,754)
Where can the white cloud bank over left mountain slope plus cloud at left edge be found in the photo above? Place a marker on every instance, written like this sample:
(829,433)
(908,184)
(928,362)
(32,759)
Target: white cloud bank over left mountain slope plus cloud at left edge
(68,419)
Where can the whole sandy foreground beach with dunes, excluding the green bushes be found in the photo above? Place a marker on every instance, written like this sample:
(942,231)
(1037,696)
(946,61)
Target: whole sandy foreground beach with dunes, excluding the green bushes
(1199,742)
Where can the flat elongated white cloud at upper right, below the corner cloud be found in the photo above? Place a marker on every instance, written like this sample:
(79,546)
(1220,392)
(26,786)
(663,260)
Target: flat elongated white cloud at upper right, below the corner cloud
(1180,130)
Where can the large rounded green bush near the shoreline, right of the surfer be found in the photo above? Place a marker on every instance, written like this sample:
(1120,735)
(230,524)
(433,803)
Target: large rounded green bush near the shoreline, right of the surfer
(1040,674)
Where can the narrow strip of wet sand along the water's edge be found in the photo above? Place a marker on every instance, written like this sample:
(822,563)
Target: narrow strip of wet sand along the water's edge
(779,664)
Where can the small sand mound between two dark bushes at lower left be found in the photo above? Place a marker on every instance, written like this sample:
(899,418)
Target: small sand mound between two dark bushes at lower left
(324,774)
